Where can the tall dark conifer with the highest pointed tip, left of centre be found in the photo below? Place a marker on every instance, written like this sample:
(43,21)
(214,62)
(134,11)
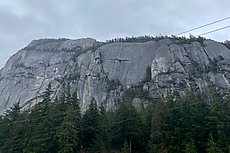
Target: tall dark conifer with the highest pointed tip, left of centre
(40,136)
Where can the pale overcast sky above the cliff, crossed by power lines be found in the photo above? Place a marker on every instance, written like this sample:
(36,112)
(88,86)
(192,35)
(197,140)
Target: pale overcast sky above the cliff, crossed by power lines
(22,21)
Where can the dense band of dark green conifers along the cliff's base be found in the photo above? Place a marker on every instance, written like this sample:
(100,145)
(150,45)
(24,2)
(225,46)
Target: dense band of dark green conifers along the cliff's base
(173,125)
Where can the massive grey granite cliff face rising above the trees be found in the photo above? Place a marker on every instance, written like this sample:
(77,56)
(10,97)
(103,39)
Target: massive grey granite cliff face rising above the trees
(106,71)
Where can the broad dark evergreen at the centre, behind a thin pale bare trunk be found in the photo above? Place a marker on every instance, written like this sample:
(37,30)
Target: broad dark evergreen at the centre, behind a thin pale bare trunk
(128,126)
